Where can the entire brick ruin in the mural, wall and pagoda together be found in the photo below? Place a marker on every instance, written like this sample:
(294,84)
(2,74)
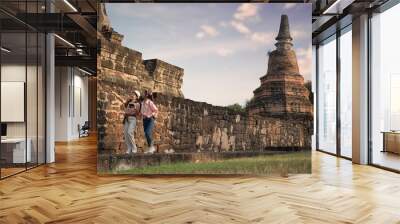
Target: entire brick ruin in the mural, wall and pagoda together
(278,118)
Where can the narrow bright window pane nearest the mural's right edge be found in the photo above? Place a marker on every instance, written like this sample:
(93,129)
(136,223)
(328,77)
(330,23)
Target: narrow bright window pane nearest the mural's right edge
(327,96)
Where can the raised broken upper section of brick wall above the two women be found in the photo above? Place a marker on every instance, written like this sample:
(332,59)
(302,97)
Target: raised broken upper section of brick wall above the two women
(119,64)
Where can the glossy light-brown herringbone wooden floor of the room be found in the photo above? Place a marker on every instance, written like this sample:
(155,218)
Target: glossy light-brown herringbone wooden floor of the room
(70,191)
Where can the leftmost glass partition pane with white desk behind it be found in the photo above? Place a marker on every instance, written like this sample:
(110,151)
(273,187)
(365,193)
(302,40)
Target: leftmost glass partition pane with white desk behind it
(13,86)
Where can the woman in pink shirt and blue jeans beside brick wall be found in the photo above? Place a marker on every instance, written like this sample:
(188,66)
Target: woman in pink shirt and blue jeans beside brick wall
(149,112)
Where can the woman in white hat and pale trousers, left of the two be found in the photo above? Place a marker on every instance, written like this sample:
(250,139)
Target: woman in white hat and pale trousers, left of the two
(132,110)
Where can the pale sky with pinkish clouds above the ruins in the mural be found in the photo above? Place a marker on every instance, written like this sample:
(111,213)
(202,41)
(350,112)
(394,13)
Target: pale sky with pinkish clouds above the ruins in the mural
(222,47)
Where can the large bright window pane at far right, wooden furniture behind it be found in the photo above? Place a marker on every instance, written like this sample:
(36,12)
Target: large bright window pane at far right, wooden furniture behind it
(385,89)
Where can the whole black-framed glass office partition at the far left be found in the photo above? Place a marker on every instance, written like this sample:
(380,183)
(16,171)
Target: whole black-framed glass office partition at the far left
(22,77)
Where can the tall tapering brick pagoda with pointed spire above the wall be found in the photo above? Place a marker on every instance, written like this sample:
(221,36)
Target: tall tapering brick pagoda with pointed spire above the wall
(282,91)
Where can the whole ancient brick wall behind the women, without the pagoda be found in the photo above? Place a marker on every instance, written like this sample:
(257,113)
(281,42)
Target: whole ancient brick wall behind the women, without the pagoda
(182,124)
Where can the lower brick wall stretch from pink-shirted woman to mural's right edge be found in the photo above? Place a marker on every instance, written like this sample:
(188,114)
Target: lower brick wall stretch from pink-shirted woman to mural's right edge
(190,125)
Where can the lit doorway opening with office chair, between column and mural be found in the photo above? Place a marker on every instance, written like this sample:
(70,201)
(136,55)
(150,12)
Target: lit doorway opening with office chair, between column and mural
(74,110)
